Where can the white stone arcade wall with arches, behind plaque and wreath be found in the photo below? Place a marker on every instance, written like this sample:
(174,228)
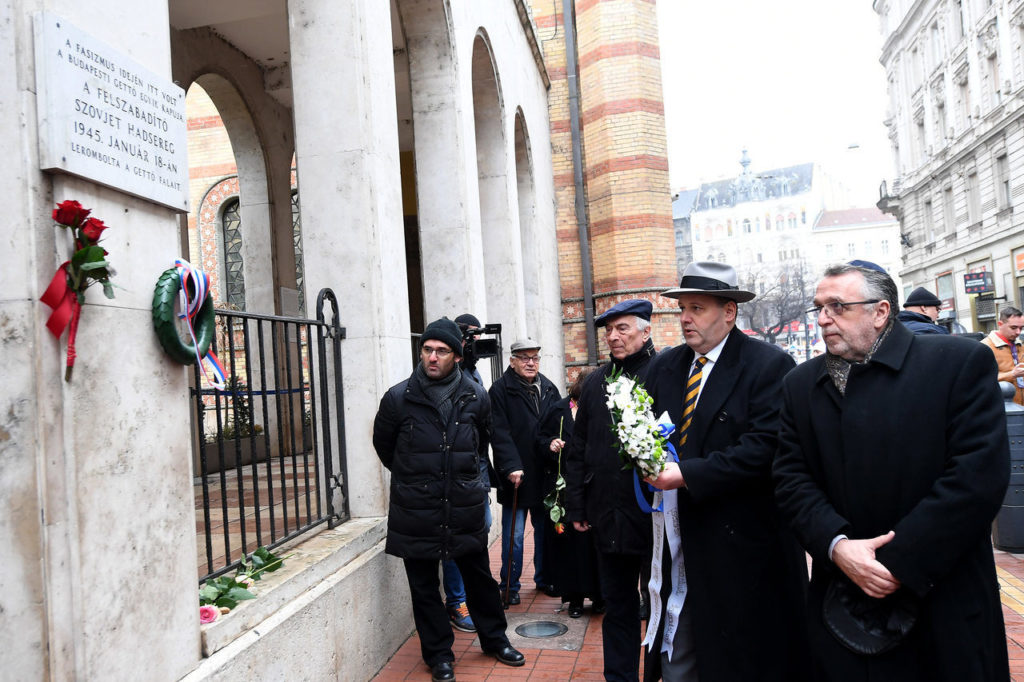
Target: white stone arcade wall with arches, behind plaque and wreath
(442,101)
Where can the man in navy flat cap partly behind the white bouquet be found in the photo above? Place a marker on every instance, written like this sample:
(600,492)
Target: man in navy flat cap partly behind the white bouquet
(600,493)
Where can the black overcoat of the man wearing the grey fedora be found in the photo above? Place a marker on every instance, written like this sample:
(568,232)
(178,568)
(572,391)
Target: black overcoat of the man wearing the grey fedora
(746,574)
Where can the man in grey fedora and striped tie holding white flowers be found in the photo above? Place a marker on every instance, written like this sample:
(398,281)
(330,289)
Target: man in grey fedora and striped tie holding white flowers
(728,578)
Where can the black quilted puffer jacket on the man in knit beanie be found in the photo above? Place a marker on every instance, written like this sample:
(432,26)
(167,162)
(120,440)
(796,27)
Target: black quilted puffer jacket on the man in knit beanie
(438,498)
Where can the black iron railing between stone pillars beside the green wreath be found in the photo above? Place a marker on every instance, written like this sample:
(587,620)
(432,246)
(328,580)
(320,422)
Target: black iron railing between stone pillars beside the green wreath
(271,458)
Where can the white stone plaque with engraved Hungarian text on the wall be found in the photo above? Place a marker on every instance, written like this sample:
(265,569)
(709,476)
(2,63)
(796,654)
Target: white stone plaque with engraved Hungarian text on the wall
(104,117)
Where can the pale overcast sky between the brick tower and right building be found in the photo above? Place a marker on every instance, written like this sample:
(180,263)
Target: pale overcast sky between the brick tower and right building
(792,81)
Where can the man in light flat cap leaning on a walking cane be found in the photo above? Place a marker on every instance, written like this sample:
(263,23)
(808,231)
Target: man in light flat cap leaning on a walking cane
(520,398)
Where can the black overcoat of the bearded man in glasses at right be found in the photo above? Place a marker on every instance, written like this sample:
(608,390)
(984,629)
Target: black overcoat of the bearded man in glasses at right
(918,445)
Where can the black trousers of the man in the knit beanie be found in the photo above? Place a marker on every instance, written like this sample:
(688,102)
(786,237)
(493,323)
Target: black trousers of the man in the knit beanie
(432,618)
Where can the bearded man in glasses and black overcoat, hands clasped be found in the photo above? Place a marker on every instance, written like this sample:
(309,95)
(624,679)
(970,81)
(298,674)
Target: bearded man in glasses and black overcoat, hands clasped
(897,519)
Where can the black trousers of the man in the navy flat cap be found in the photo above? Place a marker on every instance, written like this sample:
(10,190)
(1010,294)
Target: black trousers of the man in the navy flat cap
(620,575)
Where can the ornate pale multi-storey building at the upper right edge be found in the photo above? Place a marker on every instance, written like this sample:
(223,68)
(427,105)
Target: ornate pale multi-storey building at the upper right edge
(956,76)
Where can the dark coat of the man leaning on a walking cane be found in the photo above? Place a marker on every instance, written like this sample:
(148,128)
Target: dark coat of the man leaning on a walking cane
(516,416)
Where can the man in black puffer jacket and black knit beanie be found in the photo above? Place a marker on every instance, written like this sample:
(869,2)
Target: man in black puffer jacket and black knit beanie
(432,433)
